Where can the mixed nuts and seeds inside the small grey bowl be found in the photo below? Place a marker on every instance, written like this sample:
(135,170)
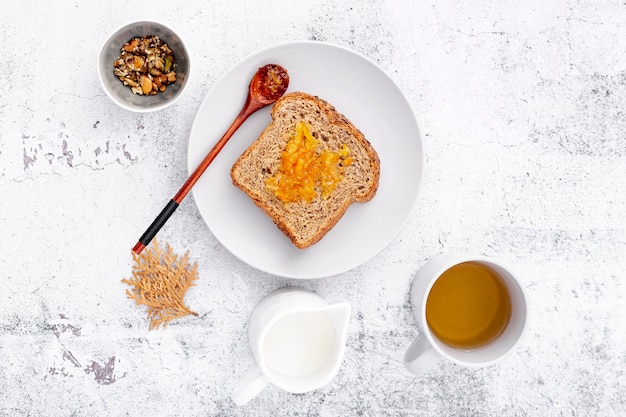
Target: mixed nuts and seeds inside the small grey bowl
(146,65)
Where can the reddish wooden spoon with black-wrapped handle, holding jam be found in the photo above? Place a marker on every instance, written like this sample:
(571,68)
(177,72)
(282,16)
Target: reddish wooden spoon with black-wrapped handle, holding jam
(268,84)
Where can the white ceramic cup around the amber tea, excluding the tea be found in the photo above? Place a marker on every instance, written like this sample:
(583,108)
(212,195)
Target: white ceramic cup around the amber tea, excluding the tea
(427,349)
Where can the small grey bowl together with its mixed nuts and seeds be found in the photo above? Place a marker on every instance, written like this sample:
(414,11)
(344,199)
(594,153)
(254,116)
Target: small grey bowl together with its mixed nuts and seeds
(144,66)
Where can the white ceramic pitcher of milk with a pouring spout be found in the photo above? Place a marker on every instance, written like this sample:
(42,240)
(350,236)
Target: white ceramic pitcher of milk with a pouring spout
(298,342)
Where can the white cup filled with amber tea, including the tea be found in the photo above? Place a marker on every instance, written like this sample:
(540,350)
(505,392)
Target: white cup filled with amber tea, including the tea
(472,311)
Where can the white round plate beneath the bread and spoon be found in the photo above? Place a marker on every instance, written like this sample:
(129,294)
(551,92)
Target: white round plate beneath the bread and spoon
(362,92)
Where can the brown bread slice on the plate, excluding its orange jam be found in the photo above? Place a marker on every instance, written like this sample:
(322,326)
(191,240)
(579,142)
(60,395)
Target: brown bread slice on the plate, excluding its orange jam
(305,223)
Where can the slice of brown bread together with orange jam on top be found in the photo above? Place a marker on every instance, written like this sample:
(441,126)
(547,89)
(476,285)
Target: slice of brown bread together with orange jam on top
(307,167)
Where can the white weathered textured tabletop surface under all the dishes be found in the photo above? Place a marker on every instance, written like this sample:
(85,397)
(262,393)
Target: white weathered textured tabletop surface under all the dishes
(522,109)
